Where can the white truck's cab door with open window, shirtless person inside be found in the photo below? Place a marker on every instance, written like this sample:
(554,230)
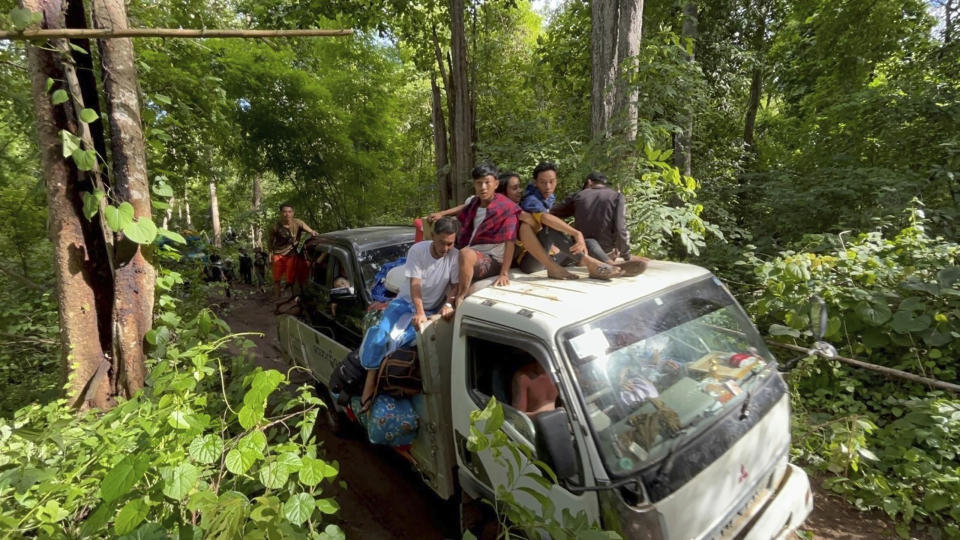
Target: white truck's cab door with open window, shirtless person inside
(487,362)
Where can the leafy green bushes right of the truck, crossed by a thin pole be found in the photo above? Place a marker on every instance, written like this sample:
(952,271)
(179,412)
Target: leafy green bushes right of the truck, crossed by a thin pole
(885,444)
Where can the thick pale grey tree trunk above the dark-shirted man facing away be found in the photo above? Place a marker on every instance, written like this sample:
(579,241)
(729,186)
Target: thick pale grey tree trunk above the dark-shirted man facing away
(616,27)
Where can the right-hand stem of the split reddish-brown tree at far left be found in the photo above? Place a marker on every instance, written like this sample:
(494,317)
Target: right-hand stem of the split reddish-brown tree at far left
(135,276)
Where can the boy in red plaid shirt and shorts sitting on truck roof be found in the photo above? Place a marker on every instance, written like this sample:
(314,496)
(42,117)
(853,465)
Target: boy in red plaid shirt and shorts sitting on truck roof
(488,230)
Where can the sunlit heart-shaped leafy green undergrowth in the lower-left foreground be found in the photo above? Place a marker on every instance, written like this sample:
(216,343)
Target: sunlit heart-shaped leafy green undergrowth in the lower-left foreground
(238,454)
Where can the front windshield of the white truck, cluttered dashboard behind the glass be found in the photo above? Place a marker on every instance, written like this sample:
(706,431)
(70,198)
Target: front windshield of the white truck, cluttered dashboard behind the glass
(657,371)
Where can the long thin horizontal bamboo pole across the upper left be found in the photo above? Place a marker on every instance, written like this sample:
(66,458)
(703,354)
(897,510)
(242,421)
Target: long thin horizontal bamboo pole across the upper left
(107,33)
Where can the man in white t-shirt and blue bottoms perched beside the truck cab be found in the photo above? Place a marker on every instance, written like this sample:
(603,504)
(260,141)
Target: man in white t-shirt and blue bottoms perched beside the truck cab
(432,271)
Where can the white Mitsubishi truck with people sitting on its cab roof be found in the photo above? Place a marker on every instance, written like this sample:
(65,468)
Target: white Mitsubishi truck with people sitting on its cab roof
(672,421)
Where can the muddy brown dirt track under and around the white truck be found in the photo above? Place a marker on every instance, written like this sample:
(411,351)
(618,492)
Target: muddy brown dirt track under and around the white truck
(381,496)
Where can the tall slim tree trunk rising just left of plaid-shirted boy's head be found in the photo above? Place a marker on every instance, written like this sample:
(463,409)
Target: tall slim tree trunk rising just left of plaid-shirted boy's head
(461,115)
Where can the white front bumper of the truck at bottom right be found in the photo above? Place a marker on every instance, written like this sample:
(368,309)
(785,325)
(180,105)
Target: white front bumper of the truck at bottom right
(785,510)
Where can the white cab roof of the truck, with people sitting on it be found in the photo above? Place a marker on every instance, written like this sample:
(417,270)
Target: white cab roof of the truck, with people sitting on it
(558,303)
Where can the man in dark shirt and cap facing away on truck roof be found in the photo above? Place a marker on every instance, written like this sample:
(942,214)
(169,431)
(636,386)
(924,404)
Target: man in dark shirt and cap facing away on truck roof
(600,213)
